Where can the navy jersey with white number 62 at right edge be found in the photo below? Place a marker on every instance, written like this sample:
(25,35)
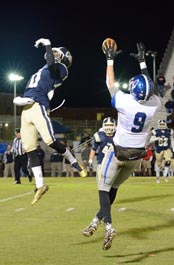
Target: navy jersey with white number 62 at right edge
(164,139)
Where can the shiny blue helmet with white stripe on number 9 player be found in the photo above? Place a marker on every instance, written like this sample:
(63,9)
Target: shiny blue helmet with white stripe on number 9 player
(141,87)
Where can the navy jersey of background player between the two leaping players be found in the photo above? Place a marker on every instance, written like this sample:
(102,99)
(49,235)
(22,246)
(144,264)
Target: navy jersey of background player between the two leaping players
(101,144)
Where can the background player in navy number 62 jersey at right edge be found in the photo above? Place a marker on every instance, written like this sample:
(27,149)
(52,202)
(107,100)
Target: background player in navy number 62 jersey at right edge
(163,141)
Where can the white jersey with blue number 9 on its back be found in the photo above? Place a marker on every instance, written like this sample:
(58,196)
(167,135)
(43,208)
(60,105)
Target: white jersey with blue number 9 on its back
(134,119)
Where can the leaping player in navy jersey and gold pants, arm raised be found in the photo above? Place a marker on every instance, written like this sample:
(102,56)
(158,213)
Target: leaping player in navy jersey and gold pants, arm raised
(35,114)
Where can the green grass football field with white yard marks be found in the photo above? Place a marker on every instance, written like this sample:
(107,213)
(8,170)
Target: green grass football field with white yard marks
(50,233)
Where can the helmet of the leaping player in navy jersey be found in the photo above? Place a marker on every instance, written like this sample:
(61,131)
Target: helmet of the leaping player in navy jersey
(61,55)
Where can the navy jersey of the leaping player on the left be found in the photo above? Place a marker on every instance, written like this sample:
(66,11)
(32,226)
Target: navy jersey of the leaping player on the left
(41,85)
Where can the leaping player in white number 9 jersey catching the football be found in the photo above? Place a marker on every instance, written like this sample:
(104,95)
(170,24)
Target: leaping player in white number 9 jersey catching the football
(135,110)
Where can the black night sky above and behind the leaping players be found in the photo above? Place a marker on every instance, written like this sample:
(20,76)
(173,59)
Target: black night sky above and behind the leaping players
(81,29)
